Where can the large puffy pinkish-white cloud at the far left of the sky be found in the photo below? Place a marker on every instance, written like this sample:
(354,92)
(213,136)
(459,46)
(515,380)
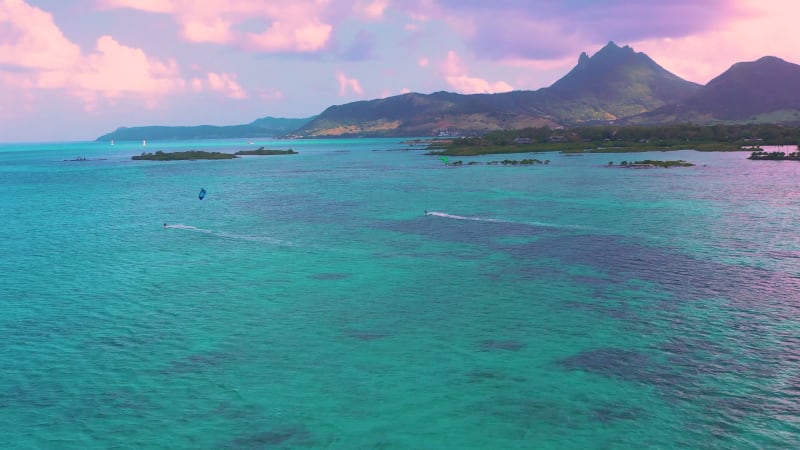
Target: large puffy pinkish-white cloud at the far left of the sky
(35,55)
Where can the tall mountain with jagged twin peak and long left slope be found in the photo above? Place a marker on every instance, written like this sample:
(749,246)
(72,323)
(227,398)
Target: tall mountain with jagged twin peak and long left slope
(613,83)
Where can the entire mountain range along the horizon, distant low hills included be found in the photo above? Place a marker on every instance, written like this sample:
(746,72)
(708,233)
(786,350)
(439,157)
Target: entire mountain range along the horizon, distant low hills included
(615,85)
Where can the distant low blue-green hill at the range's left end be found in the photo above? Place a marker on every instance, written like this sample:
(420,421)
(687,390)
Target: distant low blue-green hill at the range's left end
(264,127)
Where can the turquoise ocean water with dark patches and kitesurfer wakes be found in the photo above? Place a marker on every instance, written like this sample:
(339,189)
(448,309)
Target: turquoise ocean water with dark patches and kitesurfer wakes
(309,302)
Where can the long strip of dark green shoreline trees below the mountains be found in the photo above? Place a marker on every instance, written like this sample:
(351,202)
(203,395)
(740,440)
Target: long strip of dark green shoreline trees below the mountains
(617,139)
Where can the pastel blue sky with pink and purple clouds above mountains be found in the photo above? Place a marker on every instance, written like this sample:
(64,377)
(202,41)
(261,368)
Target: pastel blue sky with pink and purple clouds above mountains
(72,70)
